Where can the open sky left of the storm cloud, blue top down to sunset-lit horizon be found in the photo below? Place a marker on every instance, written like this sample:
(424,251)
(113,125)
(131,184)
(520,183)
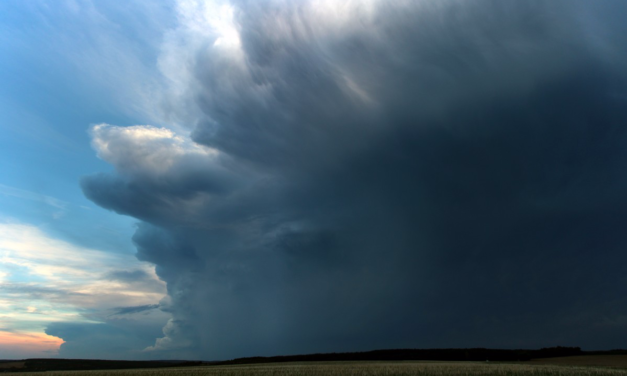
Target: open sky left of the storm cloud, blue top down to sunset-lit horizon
(65,66)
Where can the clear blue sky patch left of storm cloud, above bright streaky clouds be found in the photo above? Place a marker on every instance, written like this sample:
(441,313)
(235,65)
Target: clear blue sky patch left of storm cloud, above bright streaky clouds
(54,88)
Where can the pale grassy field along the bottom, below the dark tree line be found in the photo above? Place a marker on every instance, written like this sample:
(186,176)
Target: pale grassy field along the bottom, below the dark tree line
(358,368)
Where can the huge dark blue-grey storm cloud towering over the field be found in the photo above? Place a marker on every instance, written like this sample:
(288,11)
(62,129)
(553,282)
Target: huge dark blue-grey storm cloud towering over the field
(412,175)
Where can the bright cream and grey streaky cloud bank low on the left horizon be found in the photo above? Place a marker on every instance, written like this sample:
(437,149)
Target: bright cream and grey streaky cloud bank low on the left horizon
(53,294)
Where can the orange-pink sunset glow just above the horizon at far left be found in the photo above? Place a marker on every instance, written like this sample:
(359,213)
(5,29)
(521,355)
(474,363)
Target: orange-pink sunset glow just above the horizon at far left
(32,344)
